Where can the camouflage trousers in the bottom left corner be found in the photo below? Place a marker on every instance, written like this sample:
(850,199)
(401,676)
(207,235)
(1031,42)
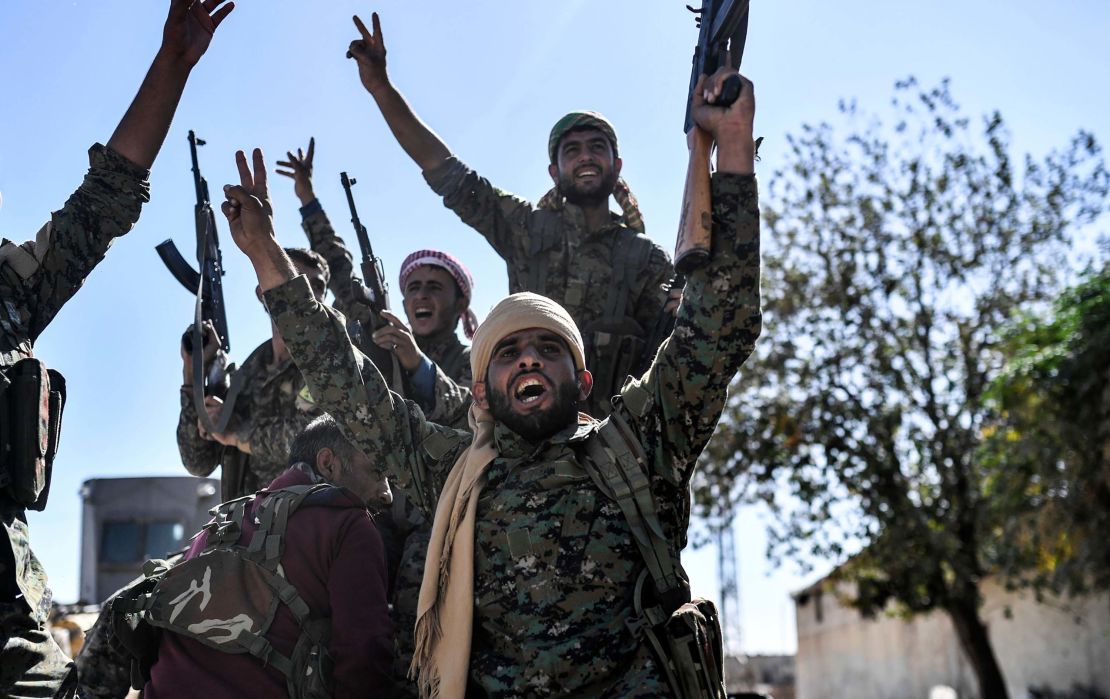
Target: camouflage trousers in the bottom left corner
(32,663)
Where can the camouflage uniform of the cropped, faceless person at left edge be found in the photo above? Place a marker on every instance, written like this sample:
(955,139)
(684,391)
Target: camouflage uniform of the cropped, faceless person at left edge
(36,279)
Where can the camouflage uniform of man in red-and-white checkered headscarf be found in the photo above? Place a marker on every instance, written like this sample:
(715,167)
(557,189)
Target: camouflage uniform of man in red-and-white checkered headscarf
(408,535)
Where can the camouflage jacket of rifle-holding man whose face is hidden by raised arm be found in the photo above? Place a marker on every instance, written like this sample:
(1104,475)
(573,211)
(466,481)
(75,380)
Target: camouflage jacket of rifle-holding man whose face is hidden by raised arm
(274,408)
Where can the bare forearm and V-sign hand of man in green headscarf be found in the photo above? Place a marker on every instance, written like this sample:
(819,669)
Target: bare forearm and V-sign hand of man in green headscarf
(422,145)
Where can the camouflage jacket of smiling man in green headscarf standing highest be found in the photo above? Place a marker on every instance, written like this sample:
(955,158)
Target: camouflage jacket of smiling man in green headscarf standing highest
(610,281)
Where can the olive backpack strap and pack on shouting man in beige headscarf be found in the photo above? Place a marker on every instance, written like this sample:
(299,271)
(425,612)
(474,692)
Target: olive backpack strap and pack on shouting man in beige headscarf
(685,634)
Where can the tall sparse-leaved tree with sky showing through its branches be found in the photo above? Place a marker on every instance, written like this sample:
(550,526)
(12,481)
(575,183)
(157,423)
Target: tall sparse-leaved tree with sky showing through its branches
(895,255)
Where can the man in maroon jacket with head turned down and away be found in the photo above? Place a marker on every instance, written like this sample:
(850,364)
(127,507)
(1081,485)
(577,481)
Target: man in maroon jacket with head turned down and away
(334,558)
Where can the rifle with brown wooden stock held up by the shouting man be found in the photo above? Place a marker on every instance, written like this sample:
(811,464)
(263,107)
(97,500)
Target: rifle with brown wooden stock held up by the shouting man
(724,31)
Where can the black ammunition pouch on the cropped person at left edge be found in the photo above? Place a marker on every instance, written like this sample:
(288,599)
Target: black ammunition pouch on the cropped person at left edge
(32,402)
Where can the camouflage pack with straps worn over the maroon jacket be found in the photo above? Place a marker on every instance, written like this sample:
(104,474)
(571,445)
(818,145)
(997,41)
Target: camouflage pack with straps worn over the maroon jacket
(227,597)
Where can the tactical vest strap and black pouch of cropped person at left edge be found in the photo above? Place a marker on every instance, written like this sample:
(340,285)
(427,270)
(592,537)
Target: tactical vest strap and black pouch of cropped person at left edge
(32,397)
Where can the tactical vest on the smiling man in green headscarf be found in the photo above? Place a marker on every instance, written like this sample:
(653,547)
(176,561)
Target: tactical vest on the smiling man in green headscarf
(617,343)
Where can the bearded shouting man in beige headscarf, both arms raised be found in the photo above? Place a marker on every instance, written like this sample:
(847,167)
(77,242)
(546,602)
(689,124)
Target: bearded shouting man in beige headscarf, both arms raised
(531,583)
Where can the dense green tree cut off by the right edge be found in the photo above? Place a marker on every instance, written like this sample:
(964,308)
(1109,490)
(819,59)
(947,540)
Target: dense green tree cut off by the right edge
(1048,445)
